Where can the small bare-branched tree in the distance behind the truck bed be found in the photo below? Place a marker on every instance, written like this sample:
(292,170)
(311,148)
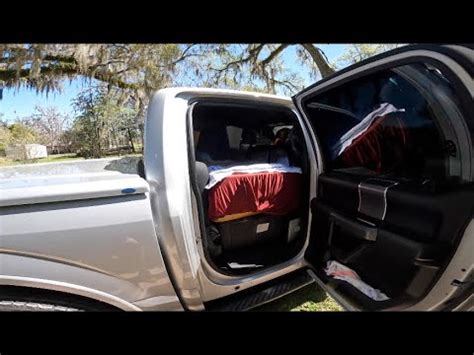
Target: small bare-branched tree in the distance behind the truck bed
(50,125)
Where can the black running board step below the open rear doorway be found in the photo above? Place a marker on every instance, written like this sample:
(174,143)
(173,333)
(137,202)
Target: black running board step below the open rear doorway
(260,295)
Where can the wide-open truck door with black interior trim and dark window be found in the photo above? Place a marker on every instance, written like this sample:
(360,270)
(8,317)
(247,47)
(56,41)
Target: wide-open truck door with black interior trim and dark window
(392,220)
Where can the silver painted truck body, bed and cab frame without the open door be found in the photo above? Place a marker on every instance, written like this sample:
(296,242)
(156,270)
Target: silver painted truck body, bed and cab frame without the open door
(96,229)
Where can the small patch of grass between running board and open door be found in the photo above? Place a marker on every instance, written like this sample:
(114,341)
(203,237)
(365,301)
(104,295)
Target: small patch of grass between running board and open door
(308,299)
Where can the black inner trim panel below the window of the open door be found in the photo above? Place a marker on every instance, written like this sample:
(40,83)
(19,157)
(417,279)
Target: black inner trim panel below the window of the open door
(405,249)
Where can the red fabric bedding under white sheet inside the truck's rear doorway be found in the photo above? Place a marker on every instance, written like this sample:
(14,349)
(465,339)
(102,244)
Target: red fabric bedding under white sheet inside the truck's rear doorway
(276,193)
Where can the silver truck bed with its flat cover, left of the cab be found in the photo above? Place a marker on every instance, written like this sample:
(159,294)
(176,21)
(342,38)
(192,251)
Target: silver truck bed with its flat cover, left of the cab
(79,233)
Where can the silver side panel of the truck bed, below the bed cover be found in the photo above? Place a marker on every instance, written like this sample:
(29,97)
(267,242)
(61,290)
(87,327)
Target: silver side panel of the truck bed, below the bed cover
(103,248)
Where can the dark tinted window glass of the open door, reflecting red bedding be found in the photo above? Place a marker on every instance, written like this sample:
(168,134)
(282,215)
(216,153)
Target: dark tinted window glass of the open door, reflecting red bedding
(393,122)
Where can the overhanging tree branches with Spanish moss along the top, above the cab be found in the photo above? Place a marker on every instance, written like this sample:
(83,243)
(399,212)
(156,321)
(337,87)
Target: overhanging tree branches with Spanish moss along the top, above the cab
(139,69)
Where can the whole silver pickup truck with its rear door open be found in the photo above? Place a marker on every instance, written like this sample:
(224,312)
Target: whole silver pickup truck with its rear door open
(362,183)
